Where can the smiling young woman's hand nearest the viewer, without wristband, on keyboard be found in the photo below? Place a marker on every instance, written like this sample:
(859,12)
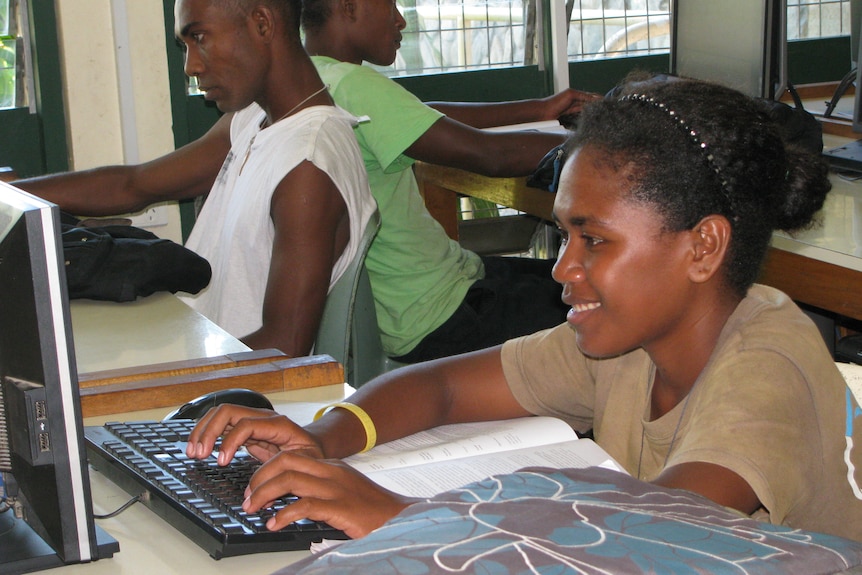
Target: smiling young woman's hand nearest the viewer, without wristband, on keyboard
(329,490)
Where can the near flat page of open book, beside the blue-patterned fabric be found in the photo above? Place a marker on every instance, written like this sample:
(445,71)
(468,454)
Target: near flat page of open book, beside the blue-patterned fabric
(430,479)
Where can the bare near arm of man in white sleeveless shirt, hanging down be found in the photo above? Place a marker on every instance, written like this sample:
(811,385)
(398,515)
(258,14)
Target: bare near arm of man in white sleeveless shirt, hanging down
(312,229)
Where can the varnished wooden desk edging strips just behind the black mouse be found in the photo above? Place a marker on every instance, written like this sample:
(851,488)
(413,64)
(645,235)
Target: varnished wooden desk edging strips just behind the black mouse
(173,384)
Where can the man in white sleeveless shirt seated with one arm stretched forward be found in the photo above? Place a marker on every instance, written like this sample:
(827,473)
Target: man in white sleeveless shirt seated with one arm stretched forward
(287,192)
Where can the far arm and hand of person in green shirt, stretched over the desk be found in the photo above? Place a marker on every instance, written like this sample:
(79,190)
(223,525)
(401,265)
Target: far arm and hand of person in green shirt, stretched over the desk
(486,115)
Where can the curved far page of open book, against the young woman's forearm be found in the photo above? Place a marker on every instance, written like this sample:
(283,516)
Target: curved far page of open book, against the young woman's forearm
(460,440)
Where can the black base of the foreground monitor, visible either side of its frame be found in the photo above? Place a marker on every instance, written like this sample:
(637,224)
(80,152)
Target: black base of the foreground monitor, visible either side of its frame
(22,550)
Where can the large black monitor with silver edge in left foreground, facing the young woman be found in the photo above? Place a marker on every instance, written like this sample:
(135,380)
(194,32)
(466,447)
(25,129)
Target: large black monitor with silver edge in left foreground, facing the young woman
(47,518)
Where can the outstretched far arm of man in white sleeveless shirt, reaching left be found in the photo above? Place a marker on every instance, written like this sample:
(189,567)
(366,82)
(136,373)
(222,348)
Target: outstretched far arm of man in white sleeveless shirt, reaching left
(184,173)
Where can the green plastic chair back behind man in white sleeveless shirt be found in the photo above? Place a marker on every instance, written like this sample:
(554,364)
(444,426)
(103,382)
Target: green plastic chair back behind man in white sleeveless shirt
(348,328)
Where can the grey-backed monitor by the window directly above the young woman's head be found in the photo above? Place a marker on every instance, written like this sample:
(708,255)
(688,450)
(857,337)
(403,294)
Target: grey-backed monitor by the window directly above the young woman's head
(739,43)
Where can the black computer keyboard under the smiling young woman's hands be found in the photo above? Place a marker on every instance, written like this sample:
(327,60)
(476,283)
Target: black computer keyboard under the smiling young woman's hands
(197,497)
